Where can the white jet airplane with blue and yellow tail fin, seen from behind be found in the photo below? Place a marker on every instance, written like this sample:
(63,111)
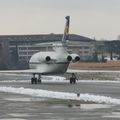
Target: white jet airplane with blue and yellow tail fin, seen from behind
(51,62)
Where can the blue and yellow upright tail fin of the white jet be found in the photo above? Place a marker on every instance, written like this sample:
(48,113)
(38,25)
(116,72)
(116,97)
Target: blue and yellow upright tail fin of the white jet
(66,30)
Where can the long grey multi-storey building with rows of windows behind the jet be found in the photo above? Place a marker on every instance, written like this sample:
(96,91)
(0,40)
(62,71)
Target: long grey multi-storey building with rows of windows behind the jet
(20,48)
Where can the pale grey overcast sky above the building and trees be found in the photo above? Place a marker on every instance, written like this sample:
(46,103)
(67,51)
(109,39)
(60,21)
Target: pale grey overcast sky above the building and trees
(91,18)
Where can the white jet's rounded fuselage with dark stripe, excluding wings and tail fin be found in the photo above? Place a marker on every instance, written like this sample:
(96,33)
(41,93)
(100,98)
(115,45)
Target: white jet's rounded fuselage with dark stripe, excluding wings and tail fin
(51,62)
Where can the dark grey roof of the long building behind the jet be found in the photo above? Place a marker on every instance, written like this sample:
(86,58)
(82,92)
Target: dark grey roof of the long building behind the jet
(41,38)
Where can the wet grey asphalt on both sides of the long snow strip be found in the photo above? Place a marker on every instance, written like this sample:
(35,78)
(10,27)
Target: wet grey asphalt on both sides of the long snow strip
(23,107)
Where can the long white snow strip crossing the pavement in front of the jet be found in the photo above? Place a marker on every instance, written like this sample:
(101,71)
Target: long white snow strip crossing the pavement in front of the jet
(61,95)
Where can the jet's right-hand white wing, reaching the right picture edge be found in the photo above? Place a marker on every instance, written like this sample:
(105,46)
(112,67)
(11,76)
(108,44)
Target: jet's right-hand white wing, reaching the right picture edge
(92,71)
